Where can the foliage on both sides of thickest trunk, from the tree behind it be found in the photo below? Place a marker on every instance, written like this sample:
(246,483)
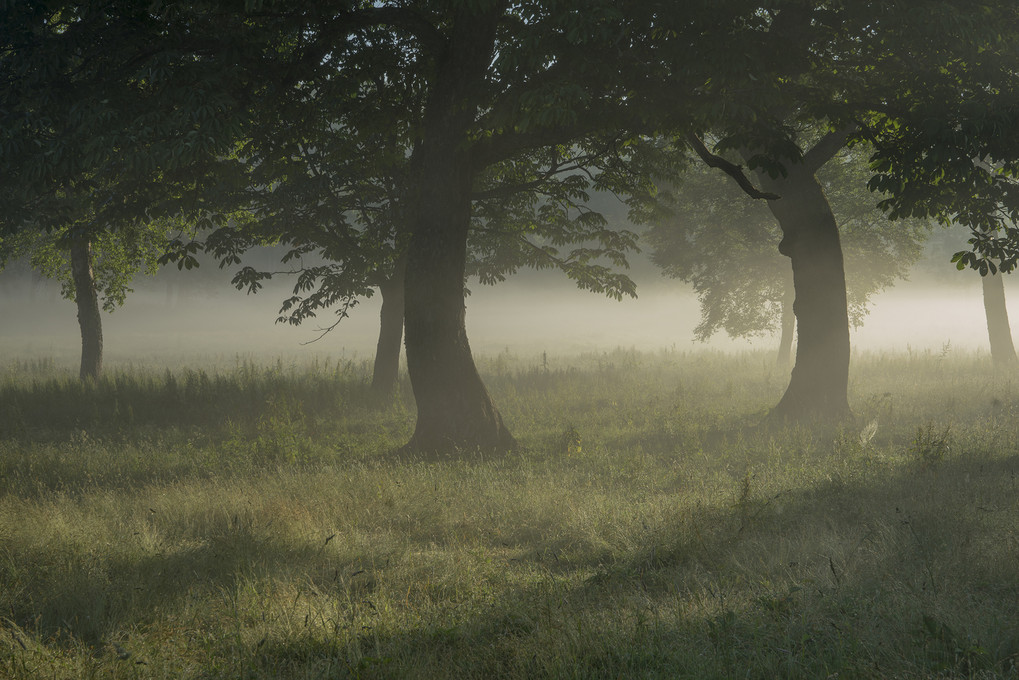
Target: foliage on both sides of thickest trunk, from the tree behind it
(335,166)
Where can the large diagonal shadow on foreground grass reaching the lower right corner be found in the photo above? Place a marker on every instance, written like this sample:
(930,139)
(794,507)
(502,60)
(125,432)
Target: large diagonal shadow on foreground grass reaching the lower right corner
(911,574)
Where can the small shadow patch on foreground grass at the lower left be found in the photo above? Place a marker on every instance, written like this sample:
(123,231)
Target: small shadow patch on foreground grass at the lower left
(87,595)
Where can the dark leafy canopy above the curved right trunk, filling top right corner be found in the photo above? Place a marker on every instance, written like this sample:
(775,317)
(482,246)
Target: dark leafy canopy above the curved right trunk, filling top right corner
(931,86)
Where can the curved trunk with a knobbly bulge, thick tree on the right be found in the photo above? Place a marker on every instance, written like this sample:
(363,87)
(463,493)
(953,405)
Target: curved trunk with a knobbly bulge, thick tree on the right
(820,383)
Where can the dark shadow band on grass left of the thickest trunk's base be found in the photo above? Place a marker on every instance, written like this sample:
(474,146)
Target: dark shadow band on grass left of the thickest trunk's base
(131,431)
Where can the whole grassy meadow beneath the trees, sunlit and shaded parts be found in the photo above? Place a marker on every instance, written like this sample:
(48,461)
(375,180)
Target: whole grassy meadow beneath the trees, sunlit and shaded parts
(252,521)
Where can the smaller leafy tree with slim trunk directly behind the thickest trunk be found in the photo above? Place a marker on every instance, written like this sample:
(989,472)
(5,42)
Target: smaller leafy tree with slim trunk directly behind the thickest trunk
(334,188)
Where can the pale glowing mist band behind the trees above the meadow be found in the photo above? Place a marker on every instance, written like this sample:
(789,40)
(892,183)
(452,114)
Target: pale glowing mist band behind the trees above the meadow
(175,318)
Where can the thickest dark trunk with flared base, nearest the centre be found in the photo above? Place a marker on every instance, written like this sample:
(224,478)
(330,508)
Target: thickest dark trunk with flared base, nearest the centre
(455,410)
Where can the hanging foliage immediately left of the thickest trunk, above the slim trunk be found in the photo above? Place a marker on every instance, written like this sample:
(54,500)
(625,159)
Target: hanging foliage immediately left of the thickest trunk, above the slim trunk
(329,155)
